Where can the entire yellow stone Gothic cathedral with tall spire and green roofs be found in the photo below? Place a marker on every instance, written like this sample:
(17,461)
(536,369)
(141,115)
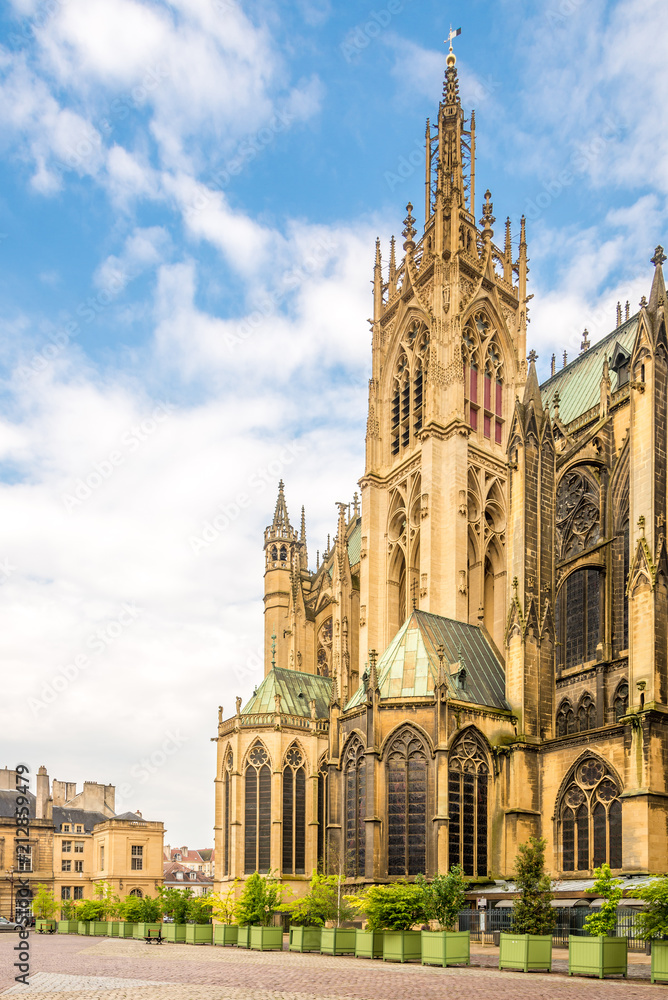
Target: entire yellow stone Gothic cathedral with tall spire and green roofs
(481,654)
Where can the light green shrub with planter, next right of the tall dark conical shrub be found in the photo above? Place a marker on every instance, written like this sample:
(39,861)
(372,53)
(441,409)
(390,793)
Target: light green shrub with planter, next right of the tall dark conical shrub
(601,954)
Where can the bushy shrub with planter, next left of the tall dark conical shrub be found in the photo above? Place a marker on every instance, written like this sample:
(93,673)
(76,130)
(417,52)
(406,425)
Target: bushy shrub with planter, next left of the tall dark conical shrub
(444,897)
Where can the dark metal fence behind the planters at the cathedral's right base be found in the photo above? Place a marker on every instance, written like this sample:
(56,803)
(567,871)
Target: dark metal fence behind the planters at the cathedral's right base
(484,924)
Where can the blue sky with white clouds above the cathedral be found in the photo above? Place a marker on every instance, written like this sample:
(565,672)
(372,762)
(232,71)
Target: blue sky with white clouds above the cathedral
(189,198)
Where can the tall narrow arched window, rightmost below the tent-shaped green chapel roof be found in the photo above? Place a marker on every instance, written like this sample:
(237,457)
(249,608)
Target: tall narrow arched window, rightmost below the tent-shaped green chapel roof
(468,776)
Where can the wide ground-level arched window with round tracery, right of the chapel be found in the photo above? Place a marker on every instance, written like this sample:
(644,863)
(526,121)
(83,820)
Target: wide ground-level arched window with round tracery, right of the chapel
(591,818)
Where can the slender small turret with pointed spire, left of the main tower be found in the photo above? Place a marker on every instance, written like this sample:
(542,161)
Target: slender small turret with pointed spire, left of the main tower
(281,548)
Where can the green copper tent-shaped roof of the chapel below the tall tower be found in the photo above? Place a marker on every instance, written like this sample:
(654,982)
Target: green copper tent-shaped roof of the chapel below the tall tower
(409,666)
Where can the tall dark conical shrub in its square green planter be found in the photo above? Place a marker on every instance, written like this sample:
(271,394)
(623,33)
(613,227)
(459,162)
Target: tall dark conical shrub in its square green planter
(529,945)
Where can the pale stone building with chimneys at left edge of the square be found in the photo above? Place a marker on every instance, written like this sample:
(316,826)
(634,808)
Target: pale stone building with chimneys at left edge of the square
(76,841)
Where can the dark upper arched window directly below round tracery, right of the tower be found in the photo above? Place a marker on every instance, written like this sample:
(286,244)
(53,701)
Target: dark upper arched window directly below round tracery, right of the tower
(579,617)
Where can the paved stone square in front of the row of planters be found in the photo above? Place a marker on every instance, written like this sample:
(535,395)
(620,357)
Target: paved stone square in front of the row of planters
(80,968)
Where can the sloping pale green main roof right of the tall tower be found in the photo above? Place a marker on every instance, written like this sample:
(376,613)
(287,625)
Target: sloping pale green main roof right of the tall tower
(579,383)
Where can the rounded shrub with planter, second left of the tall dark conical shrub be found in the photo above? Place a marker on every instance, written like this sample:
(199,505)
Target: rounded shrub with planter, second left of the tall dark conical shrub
(395,909)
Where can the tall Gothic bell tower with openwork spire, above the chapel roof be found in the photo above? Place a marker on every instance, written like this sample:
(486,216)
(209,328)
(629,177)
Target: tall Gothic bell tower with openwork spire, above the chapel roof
(449,335)
